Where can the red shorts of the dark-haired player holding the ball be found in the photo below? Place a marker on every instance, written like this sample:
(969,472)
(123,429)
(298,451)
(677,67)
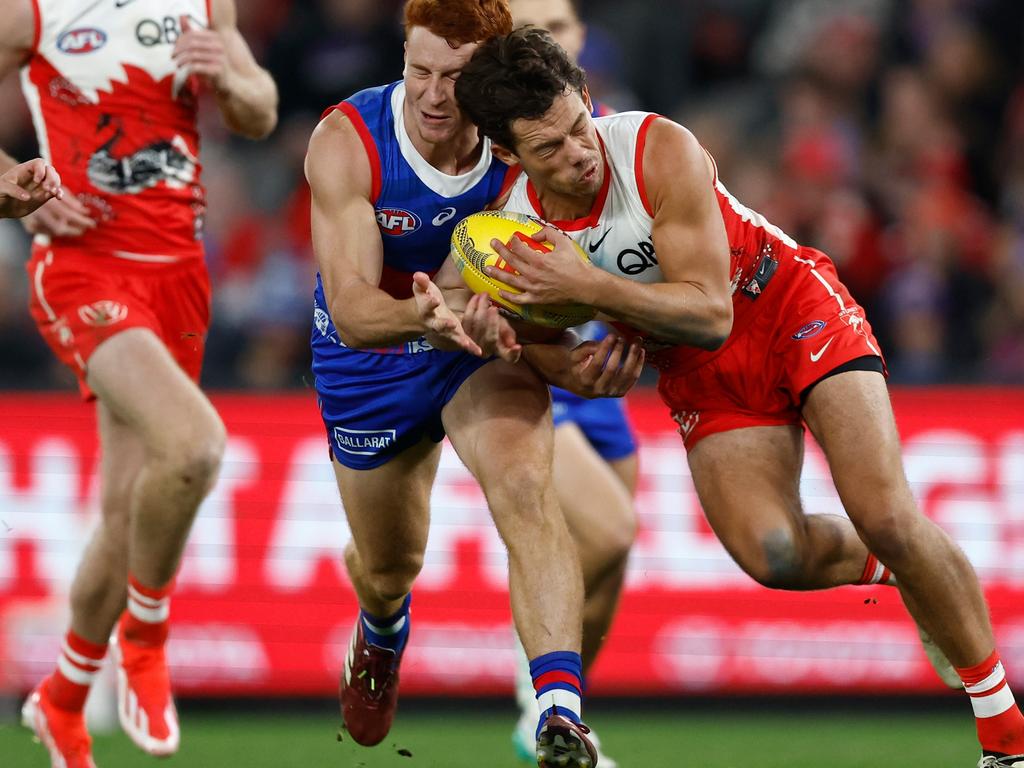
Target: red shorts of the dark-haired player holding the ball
(807,325)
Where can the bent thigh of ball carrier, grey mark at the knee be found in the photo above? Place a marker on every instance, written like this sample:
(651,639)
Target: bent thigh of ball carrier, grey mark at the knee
(748,482)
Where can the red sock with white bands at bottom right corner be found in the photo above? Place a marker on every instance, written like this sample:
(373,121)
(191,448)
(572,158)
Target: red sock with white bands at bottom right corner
(1001,726)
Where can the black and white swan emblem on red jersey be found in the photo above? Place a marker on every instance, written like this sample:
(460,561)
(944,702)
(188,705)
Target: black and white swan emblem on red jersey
(168,161)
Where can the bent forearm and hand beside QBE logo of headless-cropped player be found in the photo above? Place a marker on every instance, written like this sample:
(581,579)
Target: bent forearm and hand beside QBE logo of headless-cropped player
(246,94)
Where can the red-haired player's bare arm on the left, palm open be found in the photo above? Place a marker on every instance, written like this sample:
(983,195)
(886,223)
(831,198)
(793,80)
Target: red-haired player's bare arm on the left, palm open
(348,246)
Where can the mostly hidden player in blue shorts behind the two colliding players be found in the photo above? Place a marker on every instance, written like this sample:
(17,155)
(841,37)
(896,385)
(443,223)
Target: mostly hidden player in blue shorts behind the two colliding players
(595,454)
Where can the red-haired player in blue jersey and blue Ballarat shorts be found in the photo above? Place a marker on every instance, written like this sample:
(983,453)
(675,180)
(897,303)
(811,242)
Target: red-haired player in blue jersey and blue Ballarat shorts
(392,170)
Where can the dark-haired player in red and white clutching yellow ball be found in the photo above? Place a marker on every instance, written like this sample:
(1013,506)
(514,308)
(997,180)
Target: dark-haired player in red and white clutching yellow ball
(756,336)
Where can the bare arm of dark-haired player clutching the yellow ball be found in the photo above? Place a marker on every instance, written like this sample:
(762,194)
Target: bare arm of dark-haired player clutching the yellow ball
(694,307)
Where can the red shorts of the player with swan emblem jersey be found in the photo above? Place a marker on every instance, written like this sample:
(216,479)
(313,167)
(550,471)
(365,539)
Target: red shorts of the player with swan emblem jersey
(81,298)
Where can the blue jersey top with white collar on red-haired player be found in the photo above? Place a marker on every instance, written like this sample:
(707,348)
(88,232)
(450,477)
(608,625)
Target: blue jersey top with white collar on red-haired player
(417,206)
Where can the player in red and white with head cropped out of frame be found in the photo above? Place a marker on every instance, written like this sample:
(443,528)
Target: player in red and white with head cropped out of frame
(120,293)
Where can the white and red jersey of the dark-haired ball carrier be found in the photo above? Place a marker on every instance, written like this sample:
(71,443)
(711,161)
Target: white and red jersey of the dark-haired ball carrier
(618,233)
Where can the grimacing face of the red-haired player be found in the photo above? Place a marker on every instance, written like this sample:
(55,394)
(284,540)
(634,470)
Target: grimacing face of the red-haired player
(432,69)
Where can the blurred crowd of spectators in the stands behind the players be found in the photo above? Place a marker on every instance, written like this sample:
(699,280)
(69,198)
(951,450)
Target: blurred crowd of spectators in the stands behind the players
(888,134)
